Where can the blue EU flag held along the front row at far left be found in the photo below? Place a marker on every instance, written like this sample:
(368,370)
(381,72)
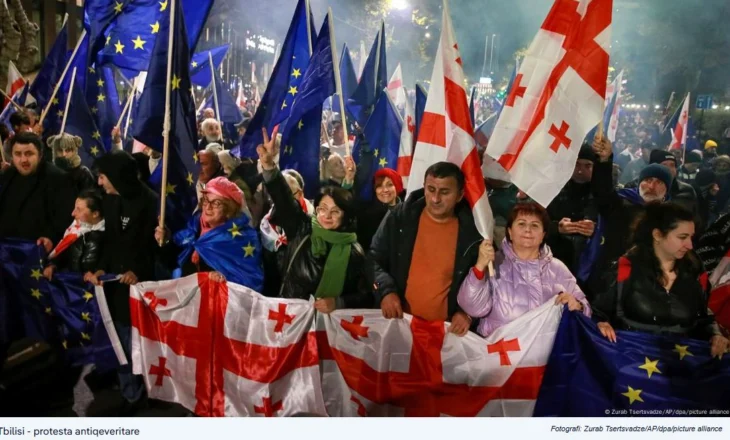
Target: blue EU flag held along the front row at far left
(64,311)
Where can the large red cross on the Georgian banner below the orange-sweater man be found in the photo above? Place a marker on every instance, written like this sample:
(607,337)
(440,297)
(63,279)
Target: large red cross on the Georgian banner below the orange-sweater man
(422,391)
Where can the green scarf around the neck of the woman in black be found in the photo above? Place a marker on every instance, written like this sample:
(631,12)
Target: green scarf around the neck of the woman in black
(335,268)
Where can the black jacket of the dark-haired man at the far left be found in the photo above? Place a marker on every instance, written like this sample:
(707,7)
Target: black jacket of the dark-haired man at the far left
(36,206)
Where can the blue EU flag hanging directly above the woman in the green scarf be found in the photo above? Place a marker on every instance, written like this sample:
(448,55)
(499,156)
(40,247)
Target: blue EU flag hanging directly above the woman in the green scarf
(301,131)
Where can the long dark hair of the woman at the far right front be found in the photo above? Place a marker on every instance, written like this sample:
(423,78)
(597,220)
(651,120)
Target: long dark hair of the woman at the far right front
(664,217)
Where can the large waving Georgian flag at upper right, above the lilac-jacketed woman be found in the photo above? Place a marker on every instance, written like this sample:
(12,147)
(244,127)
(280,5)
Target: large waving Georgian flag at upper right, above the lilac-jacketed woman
(556,99)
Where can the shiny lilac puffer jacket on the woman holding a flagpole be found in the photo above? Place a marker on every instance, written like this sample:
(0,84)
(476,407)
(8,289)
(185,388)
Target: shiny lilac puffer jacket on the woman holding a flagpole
(517,287)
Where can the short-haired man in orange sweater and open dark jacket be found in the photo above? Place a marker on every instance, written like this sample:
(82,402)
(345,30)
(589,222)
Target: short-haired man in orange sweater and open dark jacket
(424,249)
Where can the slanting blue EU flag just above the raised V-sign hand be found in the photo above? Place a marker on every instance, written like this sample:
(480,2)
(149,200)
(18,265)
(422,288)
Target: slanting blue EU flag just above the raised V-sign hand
(283,85)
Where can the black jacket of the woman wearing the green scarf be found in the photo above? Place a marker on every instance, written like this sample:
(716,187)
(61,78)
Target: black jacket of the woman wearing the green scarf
(303,277)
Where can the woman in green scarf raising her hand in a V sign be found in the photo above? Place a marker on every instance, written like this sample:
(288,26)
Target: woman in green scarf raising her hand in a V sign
(321,256)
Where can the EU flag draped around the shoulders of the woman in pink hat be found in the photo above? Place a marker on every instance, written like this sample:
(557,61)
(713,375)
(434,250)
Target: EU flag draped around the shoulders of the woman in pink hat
(232,249)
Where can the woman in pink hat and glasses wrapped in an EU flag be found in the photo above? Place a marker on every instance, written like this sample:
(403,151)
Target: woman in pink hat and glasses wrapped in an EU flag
(219,238)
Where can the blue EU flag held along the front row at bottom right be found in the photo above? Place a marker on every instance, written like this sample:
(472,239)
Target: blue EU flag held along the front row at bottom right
(640,375)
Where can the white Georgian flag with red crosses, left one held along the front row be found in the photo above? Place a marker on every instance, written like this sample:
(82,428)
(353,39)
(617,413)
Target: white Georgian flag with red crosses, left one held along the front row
(220,349)
